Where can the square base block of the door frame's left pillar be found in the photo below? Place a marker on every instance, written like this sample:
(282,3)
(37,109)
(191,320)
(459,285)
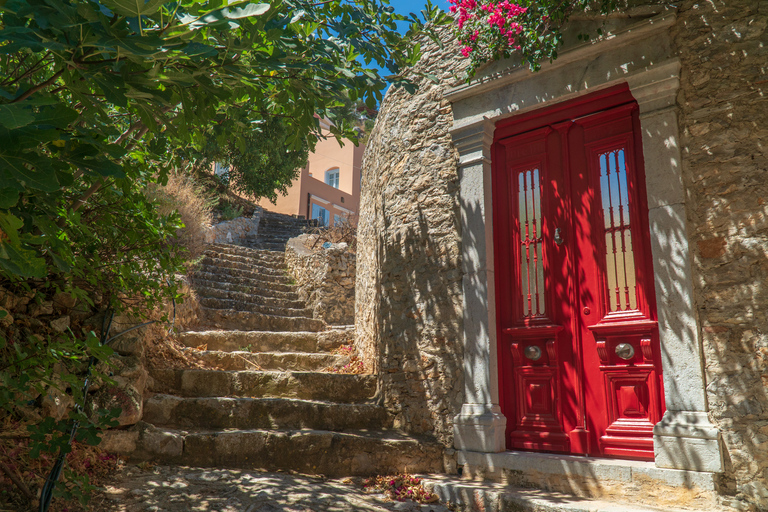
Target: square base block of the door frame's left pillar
(480,428)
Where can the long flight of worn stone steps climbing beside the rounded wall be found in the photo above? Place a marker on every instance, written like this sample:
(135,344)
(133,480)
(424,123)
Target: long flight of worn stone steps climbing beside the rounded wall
(270,405)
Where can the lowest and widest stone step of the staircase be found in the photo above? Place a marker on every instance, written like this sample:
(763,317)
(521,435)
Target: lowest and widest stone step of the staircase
(316,452)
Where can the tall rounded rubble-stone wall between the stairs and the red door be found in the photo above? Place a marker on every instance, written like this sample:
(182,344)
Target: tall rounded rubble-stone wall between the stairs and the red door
(409,302)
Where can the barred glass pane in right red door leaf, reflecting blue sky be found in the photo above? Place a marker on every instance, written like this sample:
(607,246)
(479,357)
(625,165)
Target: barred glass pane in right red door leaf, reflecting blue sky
(619,256)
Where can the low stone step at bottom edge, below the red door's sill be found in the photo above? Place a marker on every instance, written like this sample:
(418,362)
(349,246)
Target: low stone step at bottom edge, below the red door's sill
(469,496)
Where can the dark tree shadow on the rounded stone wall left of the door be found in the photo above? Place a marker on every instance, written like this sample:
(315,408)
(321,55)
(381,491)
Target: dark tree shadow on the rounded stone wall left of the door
(420,344)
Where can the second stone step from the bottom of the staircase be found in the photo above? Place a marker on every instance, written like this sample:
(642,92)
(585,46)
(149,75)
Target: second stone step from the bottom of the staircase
(261,413)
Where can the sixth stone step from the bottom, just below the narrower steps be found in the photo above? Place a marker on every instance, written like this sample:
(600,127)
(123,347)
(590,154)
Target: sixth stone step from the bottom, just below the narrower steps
(230,319)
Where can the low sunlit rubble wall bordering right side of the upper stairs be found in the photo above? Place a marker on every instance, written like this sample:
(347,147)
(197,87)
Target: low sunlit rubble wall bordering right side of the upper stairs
(326,278)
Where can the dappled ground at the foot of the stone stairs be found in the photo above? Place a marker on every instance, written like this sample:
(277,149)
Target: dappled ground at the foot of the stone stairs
(177,489)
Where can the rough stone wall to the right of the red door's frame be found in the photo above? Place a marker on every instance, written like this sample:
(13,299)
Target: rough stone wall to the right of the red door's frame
(723,115)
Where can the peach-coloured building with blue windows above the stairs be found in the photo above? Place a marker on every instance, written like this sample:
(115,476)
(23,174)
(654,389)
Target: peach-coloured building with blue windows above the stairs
(328,188)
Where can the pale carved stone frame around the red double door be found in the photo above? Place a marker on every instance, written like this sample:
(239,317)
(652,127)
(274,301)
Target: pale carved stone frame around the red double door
(640,56)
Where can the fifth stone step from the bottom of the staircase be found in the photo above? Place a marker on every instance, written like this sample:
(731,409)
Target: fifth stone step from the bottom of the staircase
(260,341)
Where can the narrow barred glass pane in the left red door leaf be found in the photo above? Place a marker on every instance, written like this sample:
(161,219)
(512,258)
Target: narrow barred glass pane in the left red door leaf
(531,260)
